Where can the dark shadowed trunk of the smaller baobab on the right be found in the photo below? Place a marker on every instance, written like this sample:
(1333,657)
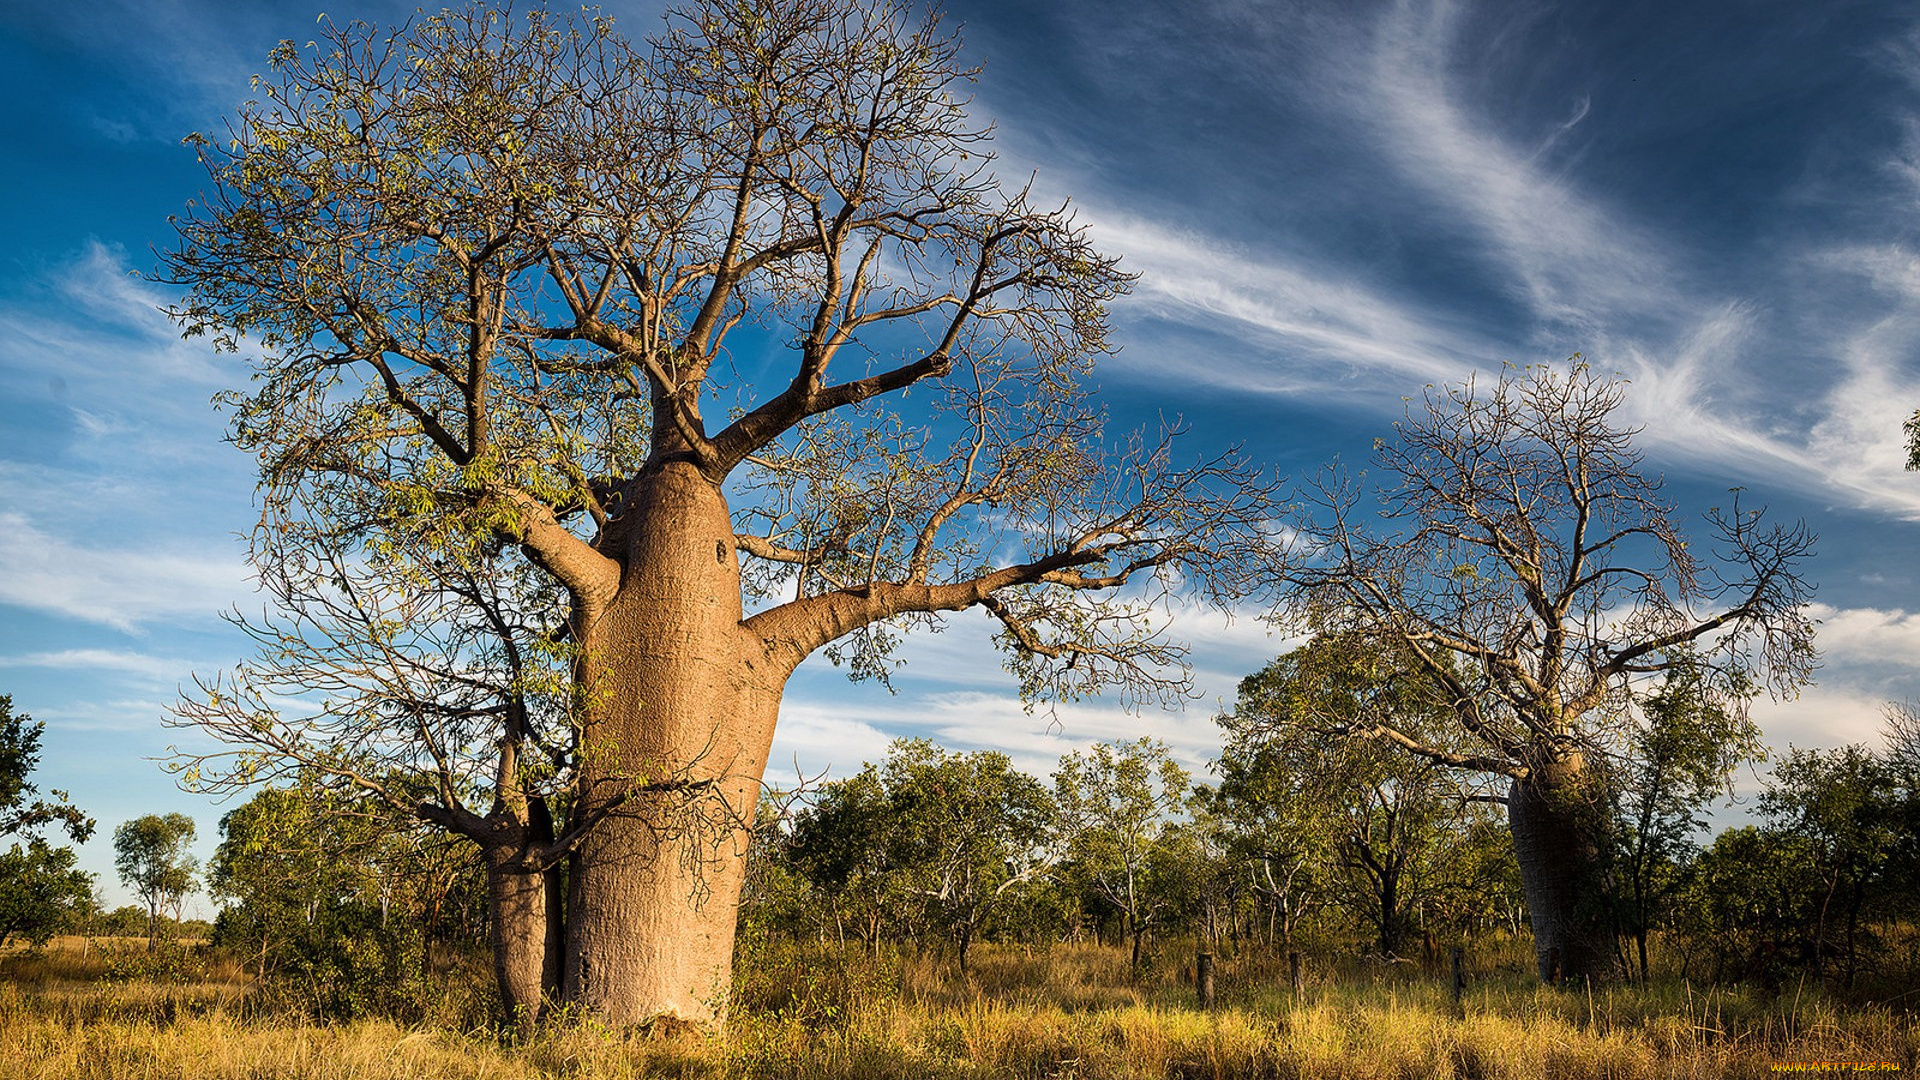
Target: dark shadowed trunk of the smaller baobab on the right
(1556,837)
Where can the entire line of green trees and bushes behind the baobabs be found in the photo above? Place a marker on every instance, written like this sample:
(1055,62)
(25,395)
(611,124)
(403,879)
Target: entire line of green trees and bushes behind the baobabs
(1295,839)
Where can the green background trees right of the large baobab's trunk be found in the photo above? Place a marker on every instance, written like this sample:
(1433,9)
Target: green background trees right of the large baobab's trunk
(1339,847)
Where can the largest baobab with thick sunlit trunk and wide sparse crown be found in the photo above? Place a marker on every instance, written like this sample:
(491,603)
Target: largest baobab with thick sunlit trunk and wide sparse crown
(652,320)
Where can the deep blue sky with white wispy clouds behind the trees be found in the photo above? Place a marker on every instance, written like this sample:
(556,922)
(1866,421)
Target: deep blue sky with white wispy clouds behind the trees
(1330,207)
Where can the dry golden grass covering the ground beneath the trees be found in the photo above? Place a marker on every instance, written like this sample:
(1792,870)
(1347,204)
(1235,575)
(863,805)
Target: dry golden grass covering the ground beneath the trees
(1055,1014)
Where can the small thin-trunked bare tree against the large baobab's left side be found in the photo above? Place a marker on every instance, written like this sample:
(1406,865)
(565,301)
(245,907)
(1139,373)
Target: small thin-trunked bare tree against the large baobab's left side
(427,674)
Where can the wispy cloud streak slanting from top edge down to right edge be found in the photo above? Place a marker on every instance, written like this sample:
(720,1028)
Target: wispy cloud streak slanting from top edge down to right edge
(1692,353)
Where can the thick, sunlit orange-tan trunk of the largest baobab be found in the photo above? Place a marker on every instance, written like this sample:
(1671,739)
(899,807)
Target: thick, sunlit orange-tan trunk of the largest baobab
(681,718)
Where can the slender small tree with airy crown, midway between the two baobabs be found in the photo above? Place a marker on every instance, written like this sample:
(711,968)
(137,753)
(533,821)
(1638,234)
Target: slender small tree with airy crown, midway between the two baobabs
(1120,806)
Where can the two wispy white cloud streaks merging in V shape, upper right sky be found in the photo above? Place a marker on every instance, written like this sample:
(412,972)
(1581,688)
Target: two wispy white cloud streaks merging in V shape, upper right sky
(1591,276)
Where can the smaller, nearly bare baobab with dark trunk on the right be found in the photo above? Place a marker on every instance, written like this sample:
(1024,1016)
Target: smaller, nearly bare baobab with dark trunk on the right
(1533,574)
